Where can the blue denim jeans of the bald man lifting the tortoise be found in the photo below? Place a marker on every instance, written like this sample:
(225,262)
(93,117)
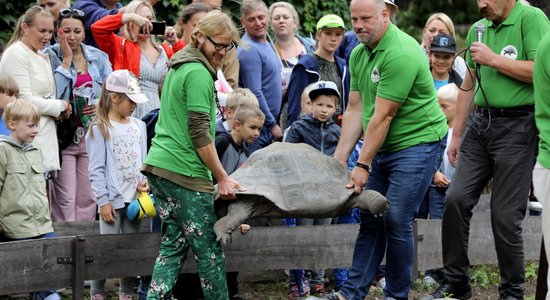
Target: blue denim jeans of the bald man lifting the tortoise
(403,177)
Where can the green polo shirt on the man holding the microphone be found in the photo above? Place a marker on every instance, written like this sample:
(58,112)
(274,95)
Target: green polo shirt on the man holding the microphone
(516,38)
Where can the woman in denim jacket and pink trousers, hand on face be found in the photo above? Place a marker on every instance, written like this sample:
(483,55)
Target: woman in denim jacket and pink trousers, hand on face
(75,66)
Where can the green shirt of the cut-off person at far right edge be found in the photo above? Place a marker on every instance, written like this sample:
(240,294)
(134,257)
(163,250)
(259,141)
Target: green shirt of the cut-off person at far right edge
(541,82)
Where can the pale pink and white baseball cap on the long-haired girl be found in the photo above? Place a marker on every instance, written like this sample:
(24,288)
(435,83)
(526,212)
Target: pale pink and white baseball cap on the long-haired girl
(124,81)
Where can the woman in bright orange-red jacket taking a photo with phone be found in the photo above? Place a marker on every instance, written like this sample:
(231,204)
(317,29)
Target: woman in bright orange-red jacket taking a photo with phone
(136,50)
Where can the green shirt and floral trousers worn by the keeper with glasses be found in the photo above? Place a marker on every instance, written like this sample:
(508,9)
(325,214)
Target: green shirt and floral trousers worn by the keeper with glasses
(182,183)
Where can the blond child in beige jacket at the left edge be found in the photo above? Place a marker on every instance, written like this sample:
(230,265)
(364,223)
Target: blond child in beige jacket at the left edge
(23,192)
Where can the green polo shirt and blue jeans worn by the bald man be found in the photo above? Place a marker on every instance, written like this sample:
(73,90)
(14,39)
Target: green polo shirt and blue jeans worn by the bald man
(402,170)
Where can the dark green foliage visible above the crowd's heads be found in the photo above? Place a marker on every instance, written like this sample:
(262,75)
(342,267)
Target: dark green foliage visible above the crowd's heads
(411,16)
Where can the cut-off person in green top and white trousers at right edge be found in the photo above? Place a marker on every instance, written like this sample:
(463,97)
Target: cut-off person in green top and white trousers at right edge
(541,173)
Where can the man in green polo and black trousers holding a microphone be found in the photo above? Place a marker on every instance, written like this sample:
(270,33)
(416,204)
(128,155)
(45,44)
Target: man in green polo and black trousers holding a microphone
(497,141)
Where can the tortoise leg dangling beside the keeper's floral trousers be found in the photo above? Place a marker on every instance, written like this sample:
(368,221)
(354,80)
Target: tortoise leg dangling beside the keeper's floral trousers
(238,212)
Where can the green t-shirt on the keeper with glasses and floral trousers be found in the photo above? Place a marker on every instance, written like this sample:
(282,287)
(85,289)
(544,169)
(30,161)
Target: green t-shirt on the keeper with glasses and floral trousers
(189,88)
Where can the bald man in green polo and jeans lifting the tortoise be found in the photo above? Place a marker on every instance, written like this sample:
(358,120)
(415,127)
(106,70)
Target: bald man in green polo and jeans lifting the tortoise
(393,106)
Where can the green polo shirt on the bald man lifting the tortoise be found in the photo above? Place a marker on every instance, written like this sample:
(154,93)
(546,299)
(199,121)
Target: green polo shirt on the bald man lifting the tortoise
(397,70)
